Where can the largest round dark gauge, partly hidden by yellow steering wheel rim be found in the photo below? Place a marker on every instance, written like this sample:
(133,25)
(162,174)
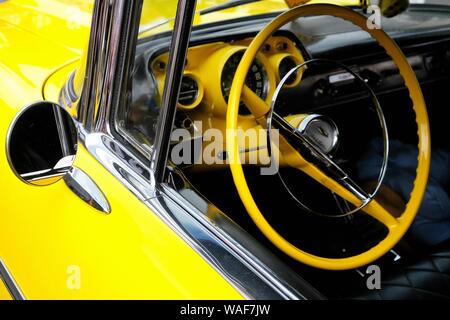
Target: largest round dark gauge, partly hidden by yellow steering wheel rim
(256,79)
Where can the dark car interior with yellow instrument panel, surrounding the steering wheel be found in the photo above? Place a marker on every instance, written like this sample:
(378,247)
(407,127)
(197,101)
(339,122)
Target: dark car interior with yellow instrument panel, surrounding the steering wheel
(341,67)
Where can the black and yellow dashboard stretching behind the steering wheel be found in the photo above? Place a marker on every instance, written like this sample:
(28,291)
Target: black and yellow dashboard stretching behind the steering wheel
(215,52)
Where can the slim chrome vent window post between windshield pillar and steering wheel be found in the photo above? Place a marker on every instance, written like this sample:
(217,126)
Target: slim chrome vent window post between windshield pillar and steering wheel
(177,57)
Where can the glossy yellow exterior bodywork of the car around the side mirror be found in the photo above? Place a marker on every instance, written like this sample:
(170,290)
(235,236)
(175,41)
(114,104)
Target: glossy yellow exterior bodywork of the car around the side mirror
(54,244)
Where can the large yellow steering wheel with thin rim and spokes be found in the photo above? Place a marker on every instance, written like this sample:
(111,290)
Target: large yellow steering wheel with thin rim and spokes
(397,227)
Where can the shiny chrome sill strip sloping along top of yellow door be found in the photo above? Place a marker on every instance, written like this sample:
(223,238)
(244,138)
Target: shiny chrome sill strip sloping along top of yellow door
(245,264)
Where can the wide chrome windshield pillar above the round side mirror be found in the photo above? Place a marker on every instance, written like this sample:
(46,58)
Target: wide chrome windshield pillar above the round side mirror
(110,55)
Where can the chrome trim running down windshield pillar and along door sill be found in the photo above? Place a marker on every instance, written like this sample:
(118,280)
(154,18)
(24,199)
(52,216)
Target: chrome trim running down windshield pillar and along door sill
(108,72)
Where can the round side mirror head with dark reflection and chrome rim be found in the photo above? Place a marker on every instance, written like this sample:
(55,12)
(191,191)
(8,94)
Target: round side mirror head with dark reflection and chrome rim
(42,143)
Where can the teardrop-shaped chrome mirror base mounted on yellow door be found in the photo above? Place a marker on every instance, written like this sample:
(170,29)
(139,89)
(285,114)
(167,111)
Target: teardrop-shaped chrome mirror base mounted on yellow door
(85,188)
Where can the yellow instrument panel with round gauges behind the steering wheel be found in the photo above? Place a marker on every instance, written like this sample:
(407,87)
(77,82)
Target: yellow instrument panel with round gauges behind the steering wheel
(210,70)
